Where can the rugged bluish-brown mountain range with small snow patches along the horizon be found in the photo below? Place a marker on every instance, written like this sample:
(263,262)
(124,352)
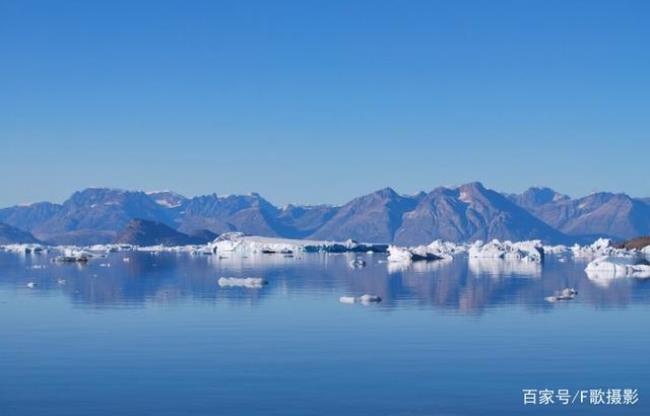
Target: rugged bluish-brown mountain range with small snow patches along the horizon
(464,213)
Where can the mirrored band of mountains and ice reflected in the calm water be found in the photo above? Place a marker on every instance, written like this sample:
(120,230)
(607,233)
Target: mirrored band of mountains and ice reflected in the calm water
(460,285)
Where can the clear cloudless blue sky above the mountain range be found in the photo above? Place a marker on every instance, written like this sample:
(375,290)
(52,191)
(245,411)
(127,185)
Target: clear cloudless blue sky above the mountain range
(320,101)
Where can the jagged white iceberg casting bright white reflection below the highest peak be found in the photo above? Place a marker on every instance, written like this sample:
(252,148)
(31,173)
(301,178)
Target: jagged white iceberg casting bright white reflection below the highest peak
(525,251)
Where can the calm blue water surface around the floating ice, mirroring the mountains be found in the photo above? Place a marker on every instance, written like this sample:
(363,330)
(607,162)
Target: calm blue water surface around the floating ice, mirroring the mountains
(158,336)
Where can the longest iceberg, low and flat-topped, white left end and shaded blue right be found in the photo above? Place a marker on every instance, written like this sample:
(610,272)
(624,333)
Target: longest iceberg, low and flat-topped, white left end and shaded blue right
(242,244)
